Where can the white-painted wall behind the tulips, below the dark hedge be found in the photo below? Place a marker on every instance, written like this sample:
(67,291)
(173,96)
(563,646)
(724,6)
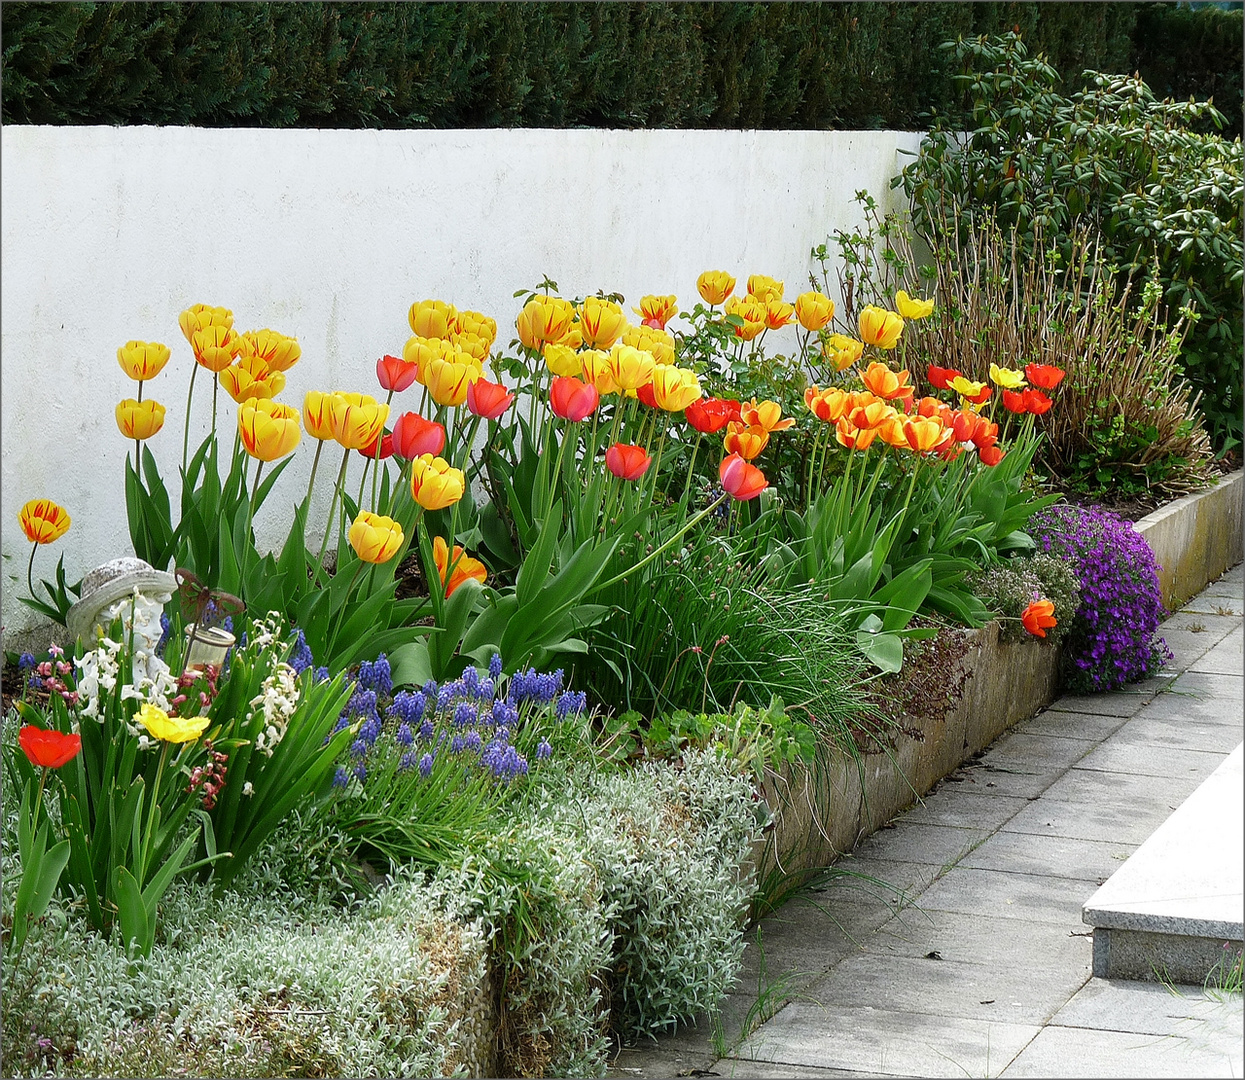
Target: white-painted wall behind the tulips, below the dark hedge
(329,236)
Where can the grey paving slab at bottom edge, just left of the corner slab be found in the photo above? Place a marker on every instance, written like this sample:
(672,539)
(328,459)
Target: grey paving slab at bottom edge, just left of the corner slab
(888,1042)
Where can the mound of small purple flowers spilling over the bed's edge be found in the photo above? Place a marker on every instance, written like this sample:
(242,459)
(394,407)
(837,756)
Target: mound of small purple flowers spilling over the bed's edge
(1112,640)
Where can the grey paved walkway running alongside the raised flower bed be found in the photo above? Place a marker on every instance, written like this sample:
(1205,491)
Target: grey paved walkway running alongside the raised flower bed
(979,965)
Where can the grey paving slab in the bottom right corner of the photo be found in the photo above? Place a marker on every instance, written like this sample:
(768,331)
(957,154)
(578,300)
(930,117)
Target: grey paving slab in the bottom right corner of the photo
(1078,1052)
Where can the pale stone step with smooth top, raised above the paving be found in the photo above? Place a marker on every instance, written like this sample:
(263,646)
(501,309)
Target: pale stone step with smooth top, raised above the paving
(1170,911)
